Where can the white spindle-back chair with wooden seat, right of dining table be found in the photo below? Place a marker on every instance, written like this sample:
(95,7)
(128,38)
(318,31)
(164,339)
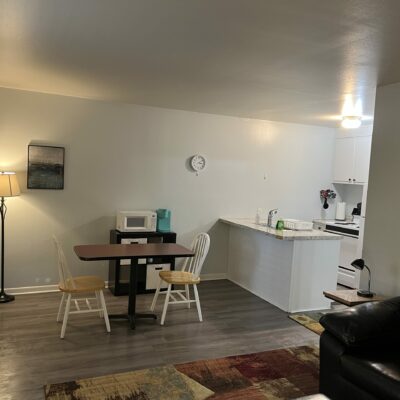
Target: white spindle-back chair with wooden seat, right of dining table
(188,276)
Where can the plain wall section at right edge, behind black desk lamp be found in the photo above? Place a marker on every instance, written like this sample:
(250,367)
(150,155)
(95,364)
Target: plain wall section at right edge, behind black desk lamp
(382,239)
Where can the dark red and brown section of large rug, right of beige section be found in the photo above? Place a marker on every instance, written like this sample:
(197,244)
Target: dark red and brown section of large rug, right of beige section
(273,375)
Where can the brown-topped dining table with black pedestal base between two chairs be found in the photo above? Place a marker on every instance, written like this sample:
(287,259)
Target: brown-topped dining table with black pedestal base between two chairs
(133,252)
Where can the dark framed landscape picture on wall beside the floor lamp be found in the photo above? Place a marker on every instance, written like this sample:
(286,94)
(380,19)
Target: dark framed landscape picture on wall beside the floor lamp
(45,167)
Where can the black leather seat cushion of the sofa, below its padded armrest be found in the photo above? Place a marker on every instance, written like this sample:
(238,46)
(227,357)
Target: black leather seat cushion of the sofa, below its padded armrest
(378,374)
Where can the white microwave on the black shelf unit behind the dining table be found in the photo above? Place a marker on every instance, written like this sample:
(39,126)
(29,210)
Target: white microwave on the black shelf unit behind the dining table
(136,221)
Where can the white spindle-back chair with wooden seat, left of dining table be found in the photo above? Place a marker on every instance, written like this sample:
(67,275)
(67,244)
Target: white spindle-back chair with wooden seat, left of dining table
(79,285)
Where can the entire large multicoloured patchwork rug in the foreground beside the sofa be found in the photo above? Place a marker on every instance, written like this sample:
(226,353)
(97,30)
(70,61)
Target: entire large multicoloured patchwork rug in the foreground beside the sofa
(274,375)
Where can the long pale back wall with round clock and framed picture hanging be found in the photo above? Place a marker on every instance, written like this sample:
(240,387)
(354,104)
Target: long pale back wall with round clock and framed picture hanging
(121,156)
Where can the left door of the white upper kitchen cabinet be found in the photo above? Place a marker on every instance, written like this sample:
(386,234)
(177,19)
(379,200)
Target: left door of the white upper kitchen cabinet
(344,160)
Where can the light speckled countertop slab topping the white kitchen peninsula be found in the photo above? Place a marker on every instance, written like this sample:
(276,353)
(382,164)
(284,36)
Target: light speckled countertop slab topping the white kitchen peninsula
(286,234)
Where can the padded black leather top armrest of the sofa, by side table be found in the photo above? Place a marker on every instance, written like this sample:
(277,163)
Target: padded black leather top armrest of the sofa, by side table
(374,322)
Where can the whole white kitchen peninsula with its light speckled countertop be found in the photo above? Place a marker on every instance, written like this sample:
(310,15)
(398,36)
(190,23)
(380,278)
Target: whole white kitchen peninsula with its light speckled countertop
(289,269)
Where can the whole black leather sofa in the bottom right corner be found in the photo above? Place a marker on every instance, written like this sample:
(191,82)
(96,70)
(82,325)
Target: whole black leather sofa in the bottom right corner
(360,352)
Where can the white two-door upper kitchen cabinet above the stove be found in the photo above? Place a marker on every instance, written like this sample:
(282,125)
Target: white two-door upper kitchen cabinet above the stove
(352,159)
